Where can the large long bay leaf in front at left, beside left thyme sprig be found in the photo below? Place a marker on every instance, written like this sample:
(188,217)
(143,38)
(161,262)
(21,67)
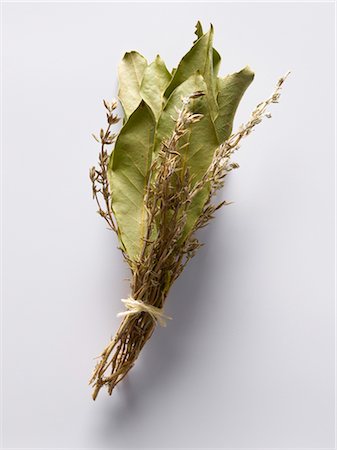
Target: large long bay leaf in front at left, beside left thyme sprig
(128,173)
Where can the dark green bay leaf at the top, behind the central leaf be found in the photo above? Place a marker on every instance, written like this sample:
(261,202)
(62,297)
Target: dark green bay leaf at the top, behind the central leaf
(199,58)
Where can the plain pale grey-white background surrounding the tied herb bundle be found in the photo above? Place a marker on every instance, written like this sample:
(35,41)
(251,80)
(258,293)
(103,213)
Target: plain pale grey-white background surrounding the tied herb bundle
(248,360)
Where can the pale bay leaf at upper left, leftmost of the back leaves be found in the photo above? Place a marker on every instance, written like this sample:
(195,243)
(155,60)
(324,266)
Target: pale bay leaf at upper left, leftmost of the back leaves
(130,75)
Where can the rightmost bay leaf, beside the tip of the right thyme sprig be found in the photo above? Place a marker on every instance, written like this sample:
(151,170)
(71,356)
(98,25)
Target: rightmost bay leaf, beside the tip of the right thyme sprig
(231,89)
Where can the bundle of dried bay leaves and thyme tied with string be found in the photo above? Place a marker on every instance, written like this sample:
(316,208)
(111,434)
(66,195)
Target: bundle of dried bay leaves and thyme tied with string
(157,186)
